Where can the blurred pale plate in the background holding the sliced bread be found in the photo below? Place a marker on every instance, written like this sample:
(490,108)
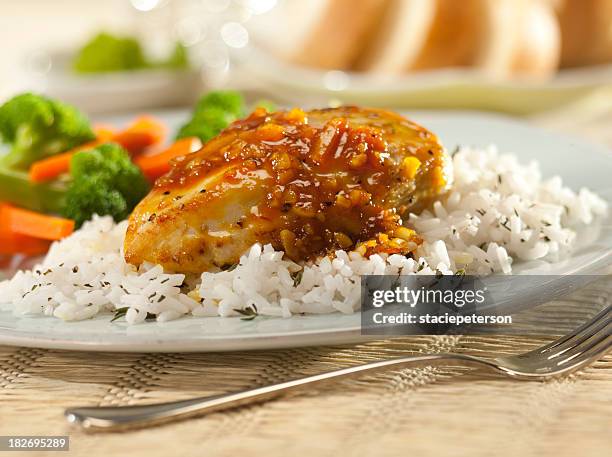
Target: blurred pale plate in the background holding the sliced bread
(456,88)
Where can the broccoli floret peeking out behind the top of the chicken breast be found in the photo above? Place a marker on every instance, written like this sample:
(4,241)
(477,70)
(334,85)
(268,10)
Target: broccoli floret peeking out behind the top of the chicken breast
(213,113)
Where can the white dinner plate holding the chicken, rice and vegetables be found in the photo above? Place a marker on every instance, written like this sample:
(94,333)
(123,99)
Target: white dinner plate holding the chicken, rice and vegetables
(578,162)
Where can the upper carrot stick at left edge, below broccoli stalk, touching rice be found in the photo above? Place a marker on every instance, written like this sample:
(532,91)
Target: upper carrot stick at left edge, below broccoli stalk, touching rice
(29,223)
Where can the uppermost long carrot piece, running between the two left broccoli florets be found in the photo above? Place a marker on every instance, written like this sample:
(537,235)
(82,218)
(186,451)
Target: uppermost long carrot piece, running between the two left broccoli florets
(144,132)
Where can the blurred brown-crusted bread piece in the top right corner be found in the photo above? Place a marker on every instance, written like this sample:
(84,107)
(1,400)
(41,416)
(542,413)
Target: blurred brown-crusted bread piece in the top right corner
(586,32)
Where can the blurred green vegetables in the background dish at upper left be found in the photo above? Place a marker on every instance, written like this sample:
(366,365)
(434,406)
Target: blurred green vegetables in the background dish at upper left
(107,53)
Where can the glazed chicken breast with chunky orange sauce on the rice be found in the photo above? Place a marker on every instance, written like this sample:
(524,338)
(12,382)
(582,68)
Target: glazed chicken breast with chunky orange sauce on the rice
(308,182)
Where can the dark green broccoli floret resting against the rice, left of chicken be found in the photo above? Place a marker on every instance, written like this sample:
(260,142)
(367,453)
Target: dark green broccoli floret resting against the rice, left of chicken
(104,181)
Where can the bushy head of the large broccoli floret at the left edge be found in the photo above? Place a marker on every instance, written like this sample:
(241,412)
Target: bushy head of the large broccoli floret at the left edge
(35,127)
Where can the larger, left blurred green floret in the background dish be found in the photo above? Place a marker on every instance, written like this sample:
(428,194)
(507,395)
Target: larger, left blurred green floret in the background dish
(107,53)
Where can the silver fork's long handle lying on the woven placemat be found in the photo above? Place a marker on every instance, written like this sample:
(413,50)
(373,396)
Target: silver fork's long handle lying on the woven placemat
(122,417)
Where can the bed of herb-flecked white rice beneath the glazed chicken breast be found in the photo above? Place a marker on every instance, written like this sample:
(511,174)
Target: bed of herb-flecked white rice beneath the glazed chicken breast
(498,211)
